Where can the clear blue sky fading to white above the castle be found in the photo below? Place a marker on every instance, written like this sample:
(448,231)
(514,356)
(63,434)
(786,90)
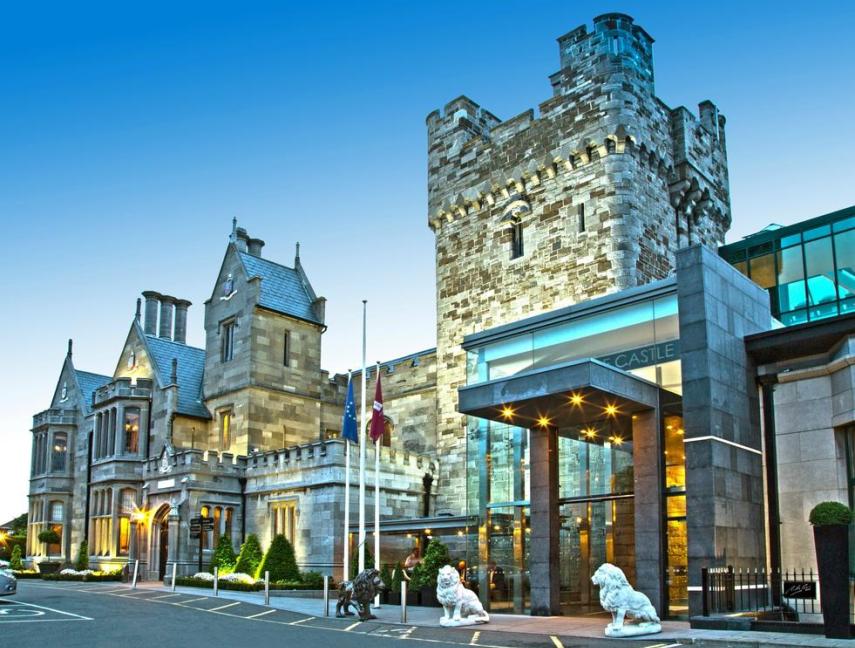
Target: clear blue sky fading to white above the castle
(131,135)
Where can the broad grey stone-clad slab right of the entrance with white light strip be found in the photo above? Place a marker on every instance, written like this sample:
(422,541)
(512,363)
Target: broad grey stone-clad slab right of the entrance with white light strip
(719,306)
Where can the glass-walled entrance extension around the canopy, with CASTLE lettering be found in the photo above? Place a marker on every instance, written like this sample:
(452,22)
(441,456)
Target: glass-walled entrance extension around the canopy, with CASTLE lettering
(636,333)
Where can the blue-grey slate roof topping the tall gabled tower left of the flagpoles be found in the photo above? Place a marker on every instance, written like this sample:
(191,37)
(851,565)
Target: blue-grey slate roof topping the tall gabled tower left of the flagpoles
(282,288)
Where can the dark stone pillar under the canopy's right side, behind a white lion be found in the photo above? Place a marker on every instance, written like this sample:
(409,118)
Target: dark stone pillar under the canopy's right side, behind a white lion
(649,508)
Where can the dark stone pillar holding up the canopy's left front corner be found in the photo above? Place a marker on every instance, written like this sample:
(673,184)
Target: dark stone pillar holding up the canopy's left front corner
(544,555)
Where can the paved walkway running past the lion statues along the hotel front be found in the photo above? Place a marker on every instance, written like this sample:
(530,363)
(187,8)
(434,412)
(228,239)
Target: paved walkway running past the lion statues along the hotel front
(673,632)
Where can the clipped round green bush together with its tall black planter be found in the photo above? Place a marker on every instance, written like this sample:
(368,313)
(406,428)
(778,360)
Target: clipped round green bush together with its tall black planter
(830,522)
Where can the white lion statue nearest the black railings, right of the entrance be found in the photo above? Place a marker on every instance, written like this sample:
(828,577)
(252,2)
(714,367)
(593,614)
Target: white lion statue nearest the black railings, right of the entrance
(618,598)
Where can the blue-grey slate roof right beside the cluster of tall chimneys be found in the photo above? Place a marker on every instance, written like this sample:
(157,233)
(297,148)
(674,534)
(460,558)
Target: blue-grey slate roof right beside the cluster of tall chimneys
(191,369)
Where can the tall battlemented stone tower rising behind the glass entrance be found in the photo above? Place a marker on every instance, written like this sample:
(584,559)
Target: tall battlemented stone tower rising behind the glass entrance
(593,196)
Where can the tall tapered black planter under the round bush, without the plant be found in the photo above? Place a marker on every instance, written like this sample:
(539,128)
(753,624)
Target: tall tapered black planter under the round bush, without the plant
(832,556)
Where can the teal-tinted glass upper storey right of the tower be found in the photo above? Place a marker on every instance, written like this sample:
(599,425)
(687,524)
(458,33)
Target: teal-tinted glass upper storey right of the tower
(808,268)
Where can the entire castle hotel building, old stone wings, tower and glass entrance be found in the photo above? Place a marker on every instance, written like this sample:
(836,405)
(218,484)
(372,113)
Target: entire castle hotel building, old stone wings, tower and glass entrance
(608,383)
